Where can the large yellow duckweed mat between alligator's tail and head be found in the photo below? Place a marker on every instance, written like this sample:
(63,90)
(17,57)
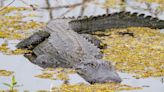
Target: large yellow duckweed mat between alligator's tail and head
(141,53)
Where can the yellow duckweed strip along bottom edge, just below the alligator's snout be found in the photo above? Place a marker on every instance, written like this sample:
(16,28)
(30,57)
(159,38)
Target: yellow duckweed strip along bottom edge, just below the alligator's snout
(107,87)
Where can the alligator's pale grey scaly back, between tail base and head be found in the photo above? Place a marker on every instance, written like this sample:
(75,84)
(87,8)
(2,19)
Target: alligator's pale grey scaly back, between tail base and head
(66,39)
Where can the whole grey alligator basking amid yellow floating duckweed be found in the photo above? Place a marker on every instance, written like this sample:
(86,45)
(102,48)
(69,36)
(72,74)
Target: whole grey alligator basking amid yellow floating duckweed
(63,43)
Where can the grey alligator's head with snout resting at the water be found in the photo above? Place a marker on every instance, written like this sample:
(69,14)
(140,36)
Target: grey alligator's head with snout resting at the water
(98,71)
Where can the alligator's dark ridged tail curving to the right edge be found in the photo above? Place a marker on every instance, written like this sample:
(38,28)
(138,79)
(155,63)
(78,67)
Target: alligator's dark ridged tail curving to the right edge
(115,20)
